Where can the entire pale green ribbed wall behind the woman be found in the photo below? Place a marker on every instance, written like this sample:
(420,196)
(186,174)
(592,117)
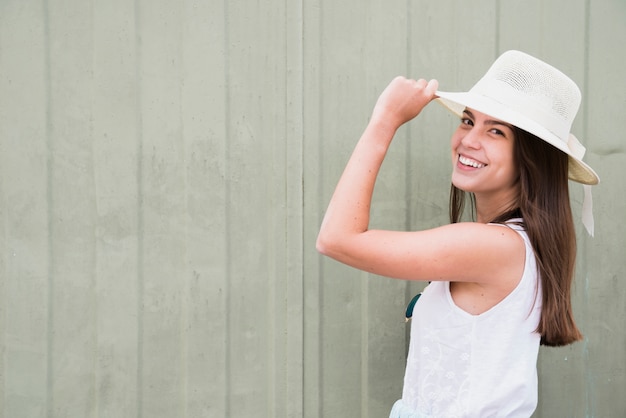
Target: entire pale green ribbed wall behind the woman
(165,165)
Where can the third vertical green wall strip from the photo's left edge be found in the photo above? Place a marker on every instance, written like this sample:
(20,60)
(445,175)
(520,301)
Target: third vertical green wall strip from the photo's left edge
(116,142)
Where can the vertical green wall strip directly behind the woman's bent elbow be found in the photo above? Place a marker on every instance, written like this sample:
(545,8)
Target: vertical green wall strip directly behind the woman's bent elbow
(343,291)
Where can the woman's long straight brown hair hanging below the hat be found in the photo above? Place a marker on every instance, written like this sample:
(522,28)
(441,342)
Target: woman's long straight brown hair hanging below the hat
(544,205)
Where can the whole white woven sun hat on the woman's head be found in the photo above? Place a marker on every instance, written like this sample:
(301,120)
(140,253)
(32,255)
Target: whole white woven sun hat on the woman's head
(534,96)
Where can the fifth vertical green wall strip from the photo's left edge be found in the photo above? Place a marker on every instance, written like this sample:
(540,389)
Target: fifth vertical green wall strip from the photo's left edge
(203,122)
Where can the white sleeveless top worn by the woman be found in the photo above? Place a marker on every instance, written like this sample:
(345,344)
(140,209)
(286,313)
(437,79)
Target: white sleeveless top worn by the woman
(463,365)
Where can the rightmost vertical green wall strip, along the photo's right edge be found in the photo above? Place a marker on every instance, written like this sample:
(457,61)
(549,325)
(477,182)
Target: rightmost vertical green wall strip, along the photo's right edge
(605,343)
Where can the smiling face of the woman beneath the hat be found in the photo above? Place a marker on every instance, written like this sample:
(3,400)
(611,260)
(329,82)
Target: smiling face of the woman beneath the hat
(482,156)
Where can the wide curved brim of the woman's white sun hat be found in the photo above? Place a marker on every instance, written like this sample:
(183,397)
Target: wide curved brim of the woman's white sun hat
(579,171)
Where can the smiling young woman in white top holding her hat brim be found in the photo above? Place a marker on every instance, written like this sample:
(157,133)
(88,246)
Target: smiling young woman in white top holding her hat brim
(500,285)
